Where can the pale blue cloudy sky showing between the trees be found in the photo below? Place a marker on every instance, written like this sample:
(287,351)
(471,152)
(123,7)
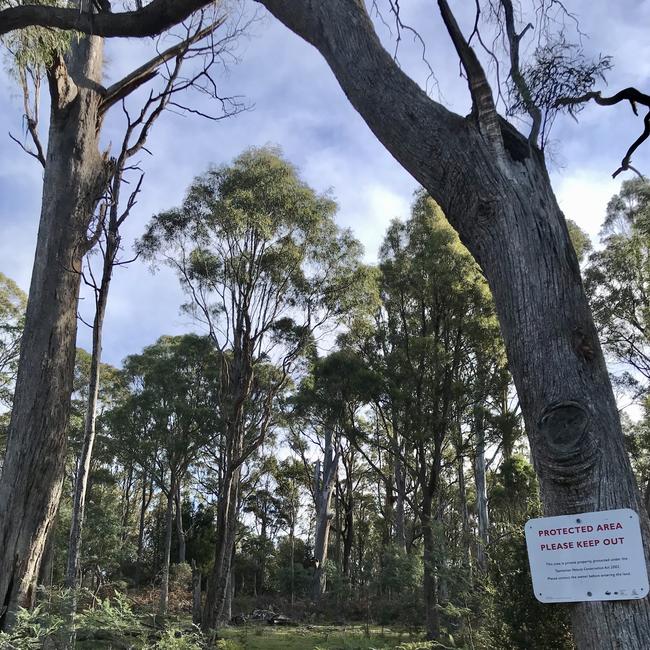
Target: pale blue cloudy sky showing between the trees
(296,103)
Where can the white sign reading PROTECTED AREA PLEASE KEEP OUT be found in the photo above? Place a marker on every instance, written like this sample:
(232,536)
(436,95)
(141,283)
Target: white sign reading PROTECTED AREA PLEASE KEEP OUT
(590,556)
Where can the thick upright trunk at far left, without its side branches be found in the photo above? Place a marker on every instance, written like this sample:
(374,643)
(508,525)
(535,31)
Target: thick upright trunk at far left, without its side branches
(74,180)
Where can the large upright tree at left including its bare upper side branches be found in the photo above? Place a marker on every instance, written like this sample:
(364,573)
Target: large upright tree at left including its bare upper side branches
(76,179)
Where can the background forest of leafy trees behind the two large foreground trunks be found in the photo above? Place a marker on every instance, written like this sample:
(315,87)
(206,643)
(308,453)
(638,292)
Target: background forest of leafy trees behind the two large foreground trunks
(379,473)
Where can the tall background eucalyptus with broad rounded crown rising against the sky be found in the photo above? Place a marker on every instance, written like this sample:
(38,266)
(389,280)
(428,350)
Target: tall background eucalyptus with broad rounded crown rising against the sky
(265,268)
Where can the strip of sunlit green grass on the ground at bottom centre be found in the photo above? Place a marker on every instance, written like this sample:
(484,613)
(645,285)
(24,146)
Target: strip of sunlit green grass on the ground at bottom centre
(314,637)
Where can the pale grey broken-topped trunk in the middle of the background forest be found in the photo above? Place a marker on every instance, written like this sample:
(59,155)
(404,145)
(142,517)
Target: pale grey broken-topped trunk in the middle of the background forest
(324,482)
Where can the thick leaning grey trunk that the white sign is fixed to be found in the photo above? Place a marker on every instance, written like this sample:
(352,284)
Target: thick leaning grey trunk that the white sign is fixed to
(499,198)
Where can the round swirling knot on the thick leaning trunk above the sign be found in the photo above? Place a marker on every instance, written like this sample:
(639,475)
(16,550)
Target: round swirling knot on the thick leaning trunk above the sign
(569,449)
